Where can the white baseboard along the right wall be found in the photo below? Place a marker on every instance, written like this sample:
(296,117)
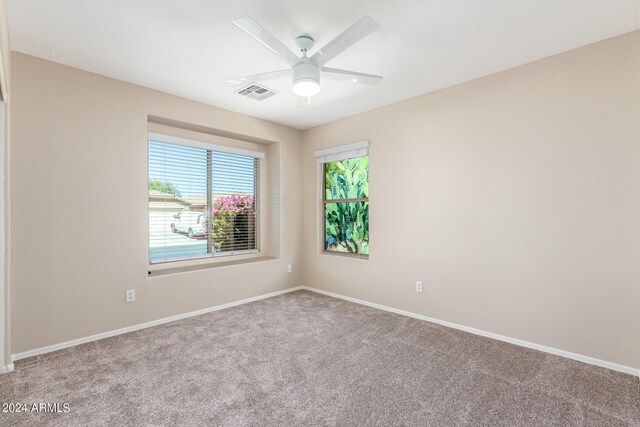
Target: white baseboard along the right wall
(522,343)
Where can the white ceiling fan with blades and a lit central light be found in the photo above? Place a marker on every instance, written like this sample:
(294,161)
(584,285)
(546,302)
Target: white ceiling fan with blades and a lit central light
(305,70)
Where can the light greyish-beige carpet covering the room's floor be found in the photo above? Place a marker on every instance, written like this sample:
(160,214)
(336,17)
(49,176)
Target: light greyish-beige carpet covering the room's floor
(307,359)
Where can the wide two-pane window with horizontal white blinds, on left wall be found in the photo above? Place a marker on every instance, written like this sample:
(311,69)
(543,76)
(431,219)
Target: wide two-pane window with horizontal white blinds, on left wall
(203,200)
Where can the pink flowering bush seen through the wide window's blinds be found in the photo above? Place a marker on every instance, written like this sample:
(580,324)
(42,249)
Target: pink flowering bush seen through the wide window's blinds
(233,219)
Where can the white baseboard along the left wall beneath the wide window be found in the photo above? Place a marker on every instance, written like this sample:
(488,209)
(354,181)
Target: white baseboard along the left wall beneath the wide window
(72,343)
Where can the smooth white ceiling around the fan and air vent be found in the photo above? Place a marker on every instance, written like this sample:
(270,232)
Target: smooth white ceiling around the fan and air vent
(189,47)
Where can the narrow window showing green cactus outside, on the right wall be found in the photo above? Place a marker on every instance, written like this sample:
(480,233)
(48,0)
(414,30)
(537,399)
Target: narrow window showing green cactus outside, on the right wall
(345,202)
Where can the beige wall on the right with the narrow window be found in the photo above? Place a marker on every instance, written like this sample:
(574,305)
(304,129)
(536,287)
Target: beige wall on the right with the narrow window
(514,198)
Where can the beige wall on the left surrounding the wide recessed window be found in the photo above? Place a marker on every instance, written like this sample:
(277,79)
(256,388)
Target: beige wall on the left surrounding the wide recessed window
(79,207)
